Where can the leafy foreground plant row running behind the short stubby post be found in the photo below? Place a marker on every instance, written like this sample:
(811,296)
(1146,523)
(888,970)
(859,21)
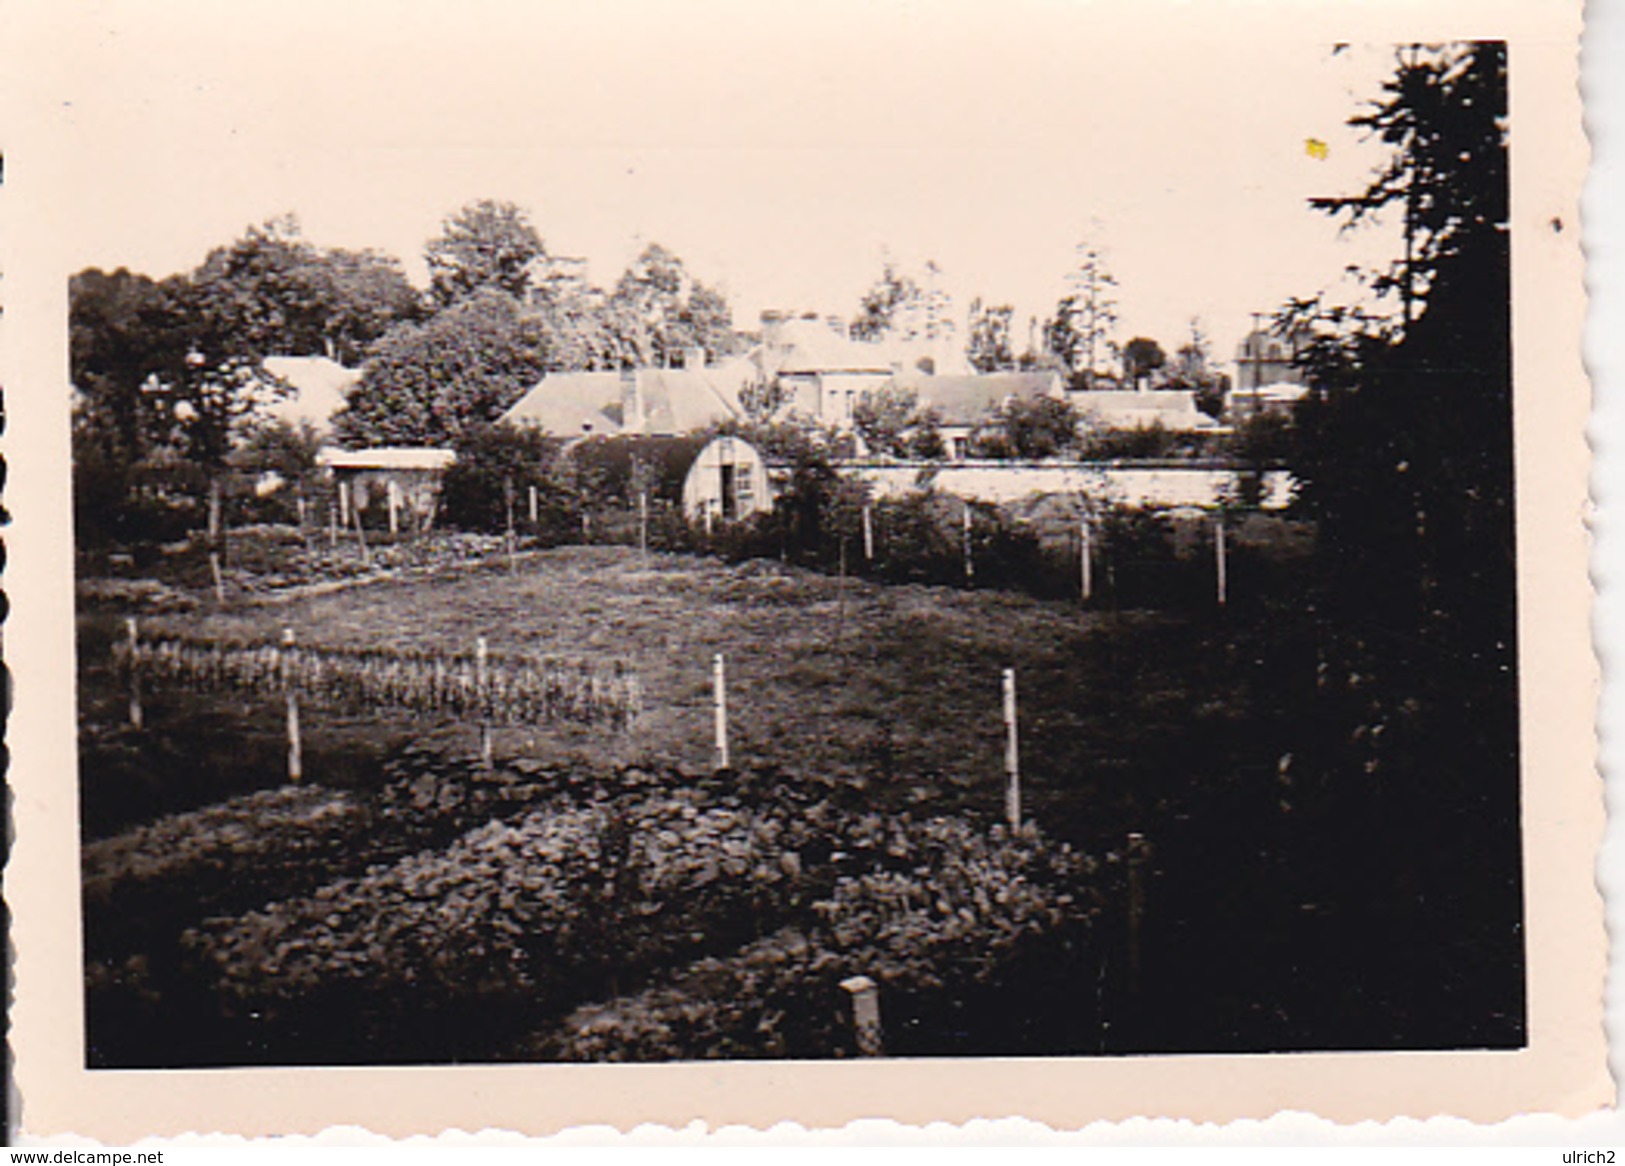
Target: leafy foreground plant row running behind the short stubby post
(956,922)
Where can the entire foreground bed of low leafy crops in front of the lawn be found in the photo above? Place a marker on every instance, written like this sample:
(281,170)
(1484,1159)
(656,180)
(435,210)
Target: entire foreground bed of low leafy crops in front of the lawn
(553,913)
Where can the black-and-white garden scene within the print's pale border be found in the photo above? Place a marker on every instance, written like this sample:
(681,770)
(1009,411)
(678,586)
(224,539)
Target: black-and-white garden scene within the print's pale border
(792,542)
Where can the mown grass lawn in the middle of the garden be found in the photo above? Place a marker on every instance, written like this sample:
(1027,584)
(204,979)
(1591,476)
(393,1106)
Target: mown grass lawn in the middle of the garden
(895,686)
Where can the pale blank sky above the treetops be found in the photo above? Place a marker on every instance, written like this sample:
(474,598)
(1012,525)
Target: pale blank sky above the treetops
(781,150)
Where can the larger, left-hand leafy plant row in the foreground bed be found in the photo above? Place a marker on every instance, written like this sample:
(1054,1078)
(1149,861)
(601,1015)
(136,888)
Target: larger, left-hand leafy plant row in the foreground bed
(534,915)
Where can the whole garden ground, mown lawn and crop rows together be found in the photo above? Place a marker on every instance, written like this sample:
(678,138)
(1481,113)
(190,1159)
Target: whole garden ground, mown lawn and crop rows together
(589,887)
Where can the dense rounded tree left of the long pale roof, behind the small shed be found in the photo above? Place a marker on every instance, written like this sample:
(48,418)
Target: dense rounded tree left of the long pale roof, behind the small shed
(428,384)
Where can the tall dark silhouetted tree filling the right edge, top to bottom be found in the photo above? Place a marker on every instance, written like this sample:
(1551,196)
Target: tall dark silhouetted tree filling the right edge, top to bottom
(1406,462)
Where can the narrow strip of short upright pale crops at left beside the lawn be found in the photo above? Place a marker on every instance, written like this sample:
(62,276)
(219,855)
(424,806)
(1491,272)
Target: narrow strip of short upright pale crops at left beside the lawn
(498,691)
